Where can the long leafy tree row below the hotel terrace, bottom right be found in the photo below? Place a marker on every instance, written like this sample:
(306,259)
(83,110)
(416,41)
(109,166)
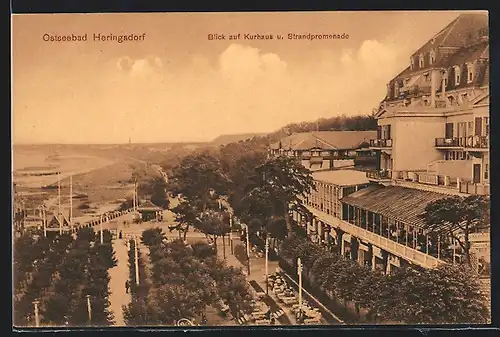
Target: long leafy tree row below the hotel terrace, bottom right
(412,295)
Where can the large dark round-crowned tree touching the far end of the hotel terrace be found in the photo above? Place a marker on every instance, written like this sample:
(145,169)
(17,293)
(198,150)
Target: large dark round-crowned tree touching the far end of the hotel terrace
(287,181)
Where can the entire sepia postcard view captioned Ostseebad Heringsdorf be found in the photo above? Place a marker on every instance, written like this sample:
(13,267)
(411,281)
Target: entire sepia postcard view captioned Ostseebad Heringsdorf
(250,169)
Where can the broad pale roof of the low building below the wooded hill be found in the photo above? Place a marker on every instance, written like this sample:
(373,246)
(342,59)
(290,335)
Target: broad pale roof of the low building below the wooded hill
(326,140)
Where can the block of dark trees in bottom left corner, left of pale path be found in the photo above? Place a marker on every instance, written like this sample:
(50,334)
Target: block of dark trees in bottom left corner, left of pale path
(71,270)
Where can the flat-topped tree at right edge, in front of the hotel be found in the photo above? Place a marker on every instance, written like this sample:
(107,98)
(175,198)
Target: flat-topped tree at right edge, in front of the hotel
(458,217)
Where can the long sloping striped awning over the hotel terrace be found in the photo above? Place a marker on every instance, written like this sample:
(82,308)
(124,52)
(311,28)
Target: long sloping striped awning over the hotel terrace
(395,202)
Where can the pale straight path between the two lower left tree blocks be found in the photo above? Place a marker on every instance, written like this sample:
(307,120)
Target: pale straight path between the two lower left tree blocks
(118,276)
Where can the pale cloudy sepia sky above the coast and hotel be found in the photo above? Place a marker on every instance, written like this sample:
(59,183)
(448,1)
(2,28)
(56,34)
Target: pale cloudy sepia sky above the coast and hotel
(177,85)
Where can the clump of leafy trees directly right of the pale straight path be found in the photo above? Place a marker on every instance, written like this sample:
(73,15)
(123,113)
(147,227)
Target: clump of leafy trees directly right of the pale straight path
(185,279)
